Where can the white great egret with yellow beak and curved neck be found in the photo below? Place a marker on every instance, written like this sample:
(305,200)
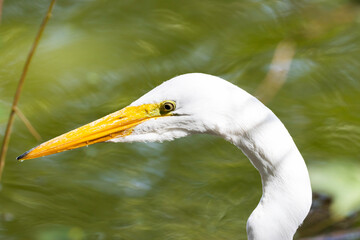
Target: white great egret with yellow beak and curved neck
(201,103)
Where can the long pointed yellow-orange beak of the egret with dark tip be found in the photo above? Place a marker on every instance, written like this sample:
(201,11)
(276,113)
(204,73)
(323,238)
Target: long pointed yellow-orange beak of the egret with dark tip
(117,124)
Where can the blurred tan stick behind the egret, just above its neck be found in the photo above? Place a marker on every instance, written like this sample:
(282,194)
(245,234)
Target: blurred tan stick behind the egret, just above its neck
(277,74)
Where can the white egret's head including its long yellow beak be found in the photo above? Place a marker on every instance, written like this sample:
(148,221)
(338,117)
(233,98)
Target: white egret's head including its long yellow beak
(186,104)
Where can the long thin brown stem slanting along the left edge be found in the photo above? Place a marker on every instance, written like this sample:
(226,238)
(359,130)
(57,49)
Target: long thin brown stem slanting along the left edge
(19,88)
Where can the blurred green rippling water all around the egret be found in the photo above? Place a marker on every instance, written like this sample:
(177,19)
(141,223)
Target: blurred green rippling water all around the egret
(96,57)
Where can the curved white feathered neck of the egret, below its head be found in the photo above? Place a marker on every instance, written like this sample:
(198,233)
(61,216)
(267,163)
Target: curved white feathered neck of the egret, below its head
(286,197)
